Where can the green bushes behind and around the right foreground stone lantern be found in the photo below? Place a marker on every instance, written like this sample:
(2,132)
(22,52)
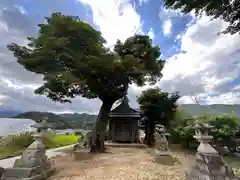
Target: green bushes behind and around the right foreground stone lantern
(225,127)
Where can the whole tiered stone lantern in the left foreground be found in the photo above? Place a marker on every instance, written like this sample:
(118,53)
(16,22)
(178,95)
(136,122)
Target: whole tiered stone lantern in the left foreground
(33,164)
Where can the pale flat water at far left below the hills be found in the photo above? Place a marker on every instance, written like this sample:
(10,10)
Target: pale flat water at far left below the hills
(9,126)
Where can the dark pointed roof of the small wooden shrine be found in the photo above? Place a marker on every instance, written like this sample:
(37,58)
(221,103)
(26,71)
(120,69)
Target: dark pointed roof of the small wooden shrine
(124,110)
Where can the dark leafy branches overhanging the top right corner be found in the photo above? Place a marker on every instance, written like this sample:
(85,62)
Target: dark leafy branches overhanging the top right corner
(228,10)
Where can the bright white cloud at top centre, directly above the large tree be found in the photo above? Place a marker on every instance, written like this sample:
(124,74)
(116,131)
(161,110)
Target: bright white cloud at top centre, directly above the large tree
(116,19)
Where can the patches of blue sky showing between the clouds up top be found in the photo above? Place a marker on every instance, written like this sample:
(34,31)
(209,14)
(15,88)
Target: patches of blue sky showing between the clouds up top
(150,17)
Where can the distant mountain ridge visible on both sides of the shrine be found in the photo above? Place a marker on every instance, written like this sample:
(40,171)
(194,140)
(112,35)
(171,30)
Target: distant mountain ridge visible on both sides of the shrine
(85,121)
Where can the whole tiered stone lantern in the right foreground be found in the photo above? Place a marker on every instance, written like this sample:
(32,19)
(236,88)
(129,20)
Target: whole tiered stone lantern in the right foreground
(209,164)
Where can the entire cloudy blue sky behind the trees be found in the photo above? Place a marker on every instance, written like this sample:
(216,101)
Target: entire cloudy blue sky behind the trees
(199,62)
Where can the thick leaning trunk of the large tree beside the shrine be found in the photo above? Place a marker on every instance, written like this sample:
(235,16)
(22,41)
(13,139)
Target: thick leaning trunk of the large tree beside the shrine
(99,130)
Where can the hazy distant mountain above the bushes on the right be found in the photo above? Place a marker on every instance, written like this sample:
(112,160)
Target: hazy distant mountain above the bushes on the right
(196,109)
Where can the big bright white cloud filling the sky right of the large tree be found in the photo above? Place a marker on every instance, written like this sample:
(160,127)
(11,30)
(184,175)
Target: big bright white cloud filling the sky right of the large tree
(208,64)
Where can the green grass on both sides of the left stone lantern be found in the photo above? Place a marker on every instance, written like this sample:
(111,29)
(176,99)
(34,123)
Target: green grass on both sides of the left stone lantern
(17,143)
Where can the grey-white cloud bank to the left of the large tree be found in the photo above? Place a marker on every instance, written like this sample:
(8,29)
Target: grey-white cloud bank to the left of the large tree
(17,85)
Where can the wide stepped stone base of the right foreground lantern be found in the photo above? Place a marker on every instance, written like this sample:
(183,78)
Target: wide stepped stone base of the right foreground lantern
(210,167)
